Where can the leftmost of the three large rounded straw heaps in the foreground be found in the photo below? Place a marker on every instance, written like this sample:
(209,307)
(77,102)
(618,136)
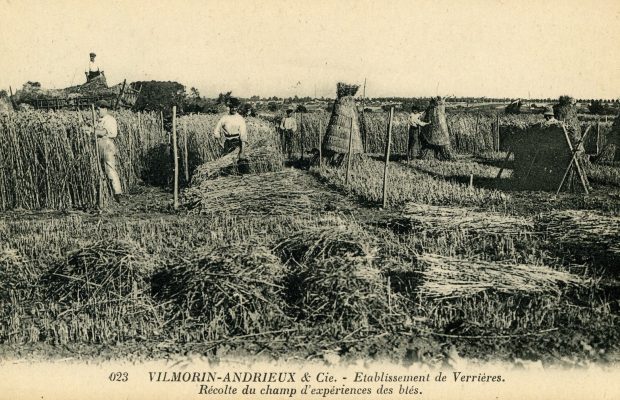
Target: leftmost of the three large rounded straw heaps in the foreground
(102,294)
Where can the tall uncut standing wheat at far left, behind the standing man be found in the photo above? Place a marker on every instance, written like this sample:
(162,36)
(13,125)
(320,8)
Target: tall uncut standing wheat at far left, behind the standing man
(48,159)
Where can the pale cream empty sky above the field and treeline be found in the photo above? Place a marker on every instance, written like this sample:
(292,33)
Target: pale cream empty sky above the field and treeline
(489,48)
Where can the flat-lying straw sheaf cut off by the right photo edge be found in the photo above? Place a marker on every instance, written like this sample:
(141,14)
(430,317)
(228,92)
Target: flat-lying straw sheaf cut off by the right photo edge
(586,235)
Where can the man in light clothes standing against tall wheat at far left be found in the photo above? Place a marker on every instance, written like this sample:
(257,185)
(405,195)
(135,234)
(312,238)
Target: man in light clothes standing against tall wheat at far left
(106,130)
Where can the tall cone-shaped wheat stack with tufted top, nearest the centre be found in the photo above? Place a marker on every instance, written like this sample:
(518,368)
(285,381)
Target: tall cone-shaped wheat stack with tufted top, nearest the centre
(344,122)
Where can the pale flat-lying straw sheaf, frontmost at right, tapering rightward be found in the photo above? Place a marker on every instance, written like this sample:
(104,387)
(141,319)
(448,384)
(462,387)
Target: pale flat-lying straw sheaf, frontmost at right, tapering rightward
(454,277)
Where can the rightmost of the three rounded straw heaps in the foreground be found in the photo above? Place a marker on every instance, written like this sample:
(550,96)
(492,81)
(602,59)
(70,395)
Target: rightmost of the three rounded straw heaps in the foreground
(336,280)
